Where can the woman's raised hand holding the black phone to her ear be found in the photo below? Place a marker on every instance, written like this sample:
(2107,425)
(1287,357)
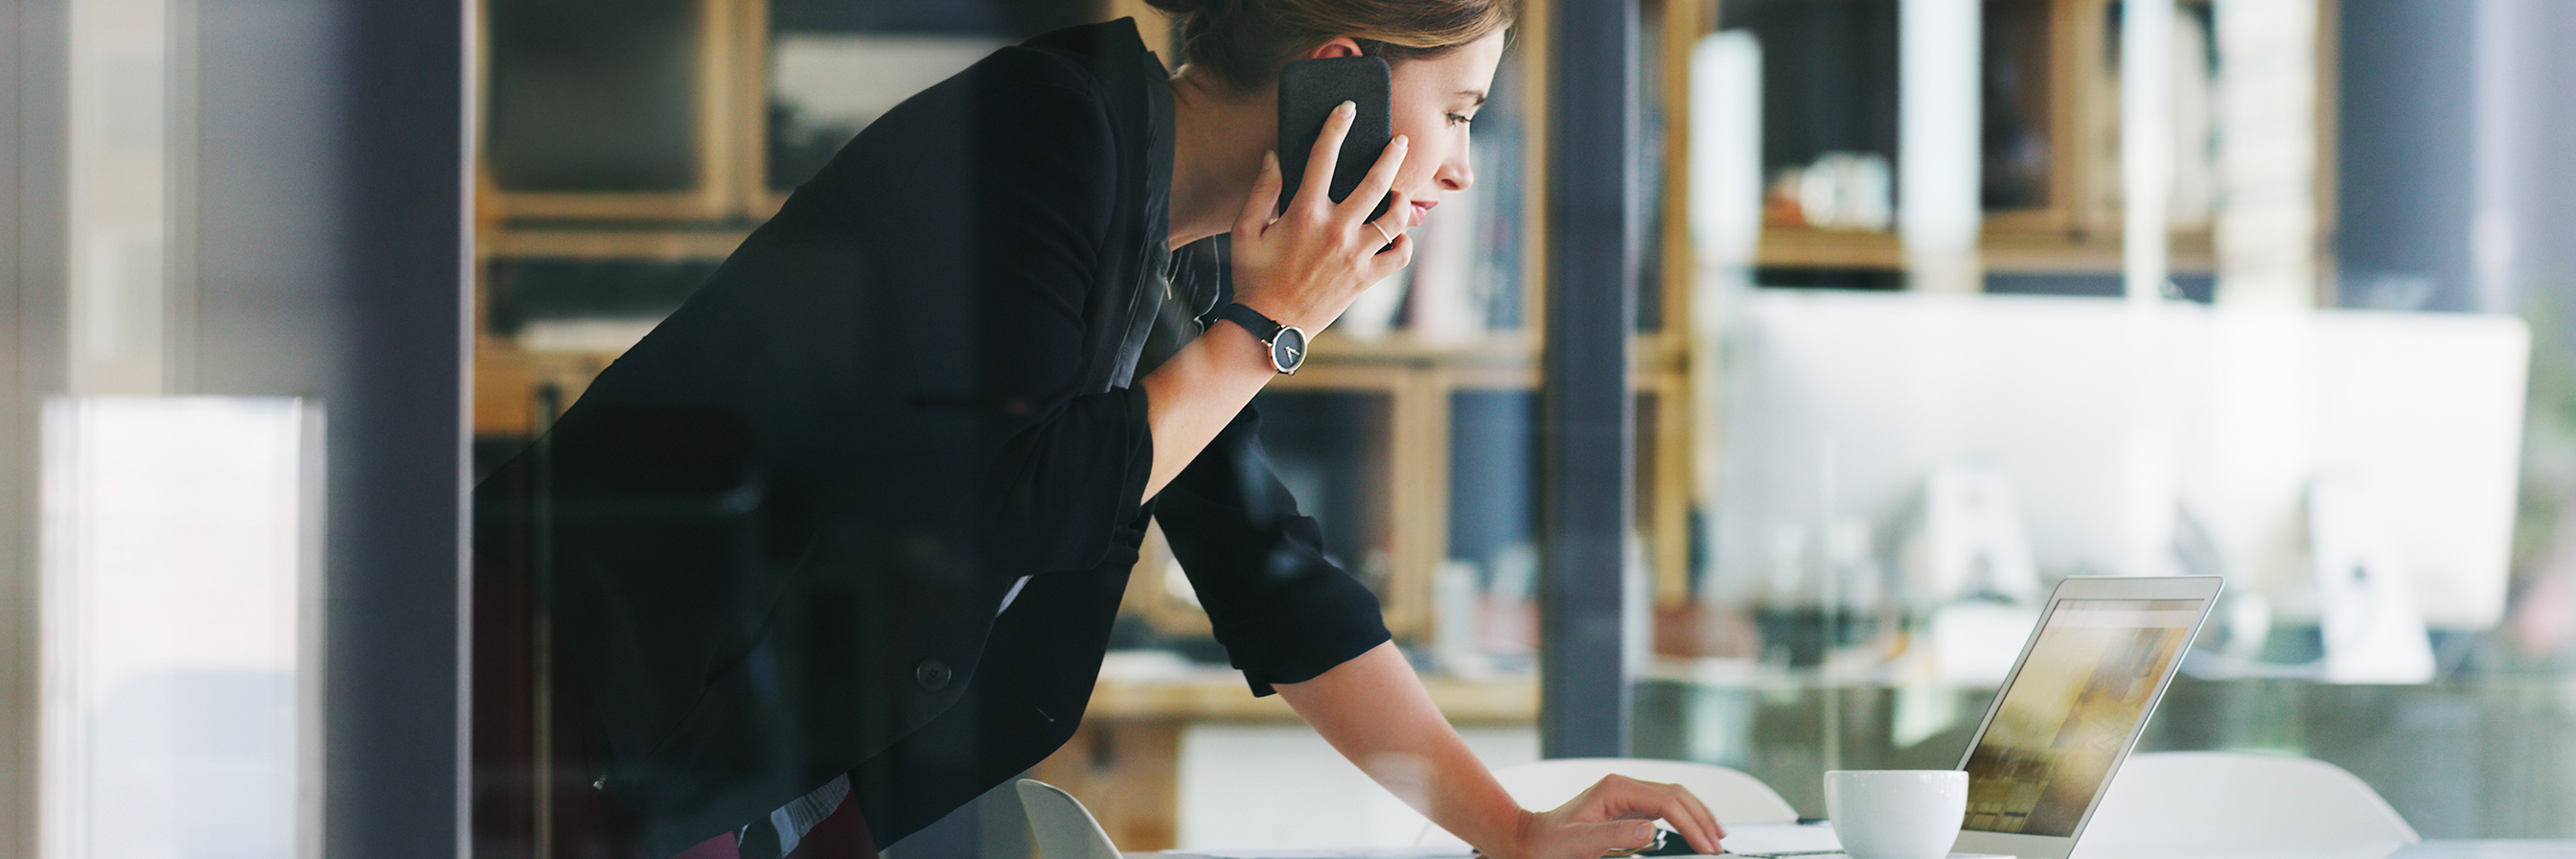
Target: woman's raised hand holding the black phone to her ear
(1318,257)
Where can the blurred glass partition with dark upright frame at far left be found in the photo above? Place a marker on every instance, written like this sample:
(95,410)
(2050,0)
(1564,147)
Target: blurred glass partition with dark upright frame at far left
(231,404)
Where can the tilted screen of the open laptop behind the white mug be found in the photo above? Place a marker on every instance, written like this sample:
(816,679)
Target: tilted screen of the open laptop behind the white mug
(2072,708)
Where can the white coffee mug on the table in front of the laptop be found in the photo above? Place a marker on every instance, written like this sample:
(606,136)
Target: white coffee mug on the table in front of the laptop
(1897,814)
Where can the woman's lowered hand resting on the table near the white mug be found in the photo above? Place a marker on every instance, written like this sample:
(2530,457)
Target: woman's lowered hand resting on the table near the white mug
(1616,814)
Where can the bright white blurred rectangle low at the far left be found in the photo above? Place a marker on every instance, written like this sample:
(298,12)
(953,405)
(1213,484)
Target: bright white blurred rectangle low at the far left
(182,657)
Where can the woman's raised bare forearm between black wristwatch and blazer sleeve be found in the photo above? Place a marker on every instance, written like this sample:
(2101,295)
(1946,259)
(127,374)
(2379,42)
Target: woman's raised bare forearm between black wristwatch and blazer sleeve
(1197,396)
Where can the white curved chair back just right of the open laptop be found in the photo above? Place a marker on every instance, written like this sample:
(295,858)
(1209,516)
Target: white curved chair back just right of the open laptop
(2217,801)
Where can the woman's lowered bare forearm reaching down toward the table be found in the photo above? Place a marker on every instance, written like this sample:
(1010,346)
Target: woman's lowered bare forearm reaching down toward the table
(1377,713)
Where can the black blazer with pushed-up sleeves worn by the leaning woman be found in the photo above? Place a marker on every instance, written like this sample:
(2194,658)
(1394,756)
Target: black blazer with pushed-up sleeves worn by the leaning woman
(779,533)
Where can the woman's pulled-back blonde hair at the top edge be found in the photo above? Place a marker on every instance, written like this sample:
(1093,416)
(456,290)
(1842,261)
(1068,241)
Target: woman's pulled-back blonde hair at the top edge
(1245,43)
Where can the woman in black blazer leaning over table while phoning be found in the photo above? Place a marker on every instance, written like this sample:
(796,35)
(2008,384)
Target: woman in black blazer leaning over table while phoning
(838,546)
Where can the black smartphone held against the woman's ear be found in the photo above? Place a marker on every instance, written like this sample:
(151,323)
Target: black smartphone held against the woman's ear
(1310,89)
